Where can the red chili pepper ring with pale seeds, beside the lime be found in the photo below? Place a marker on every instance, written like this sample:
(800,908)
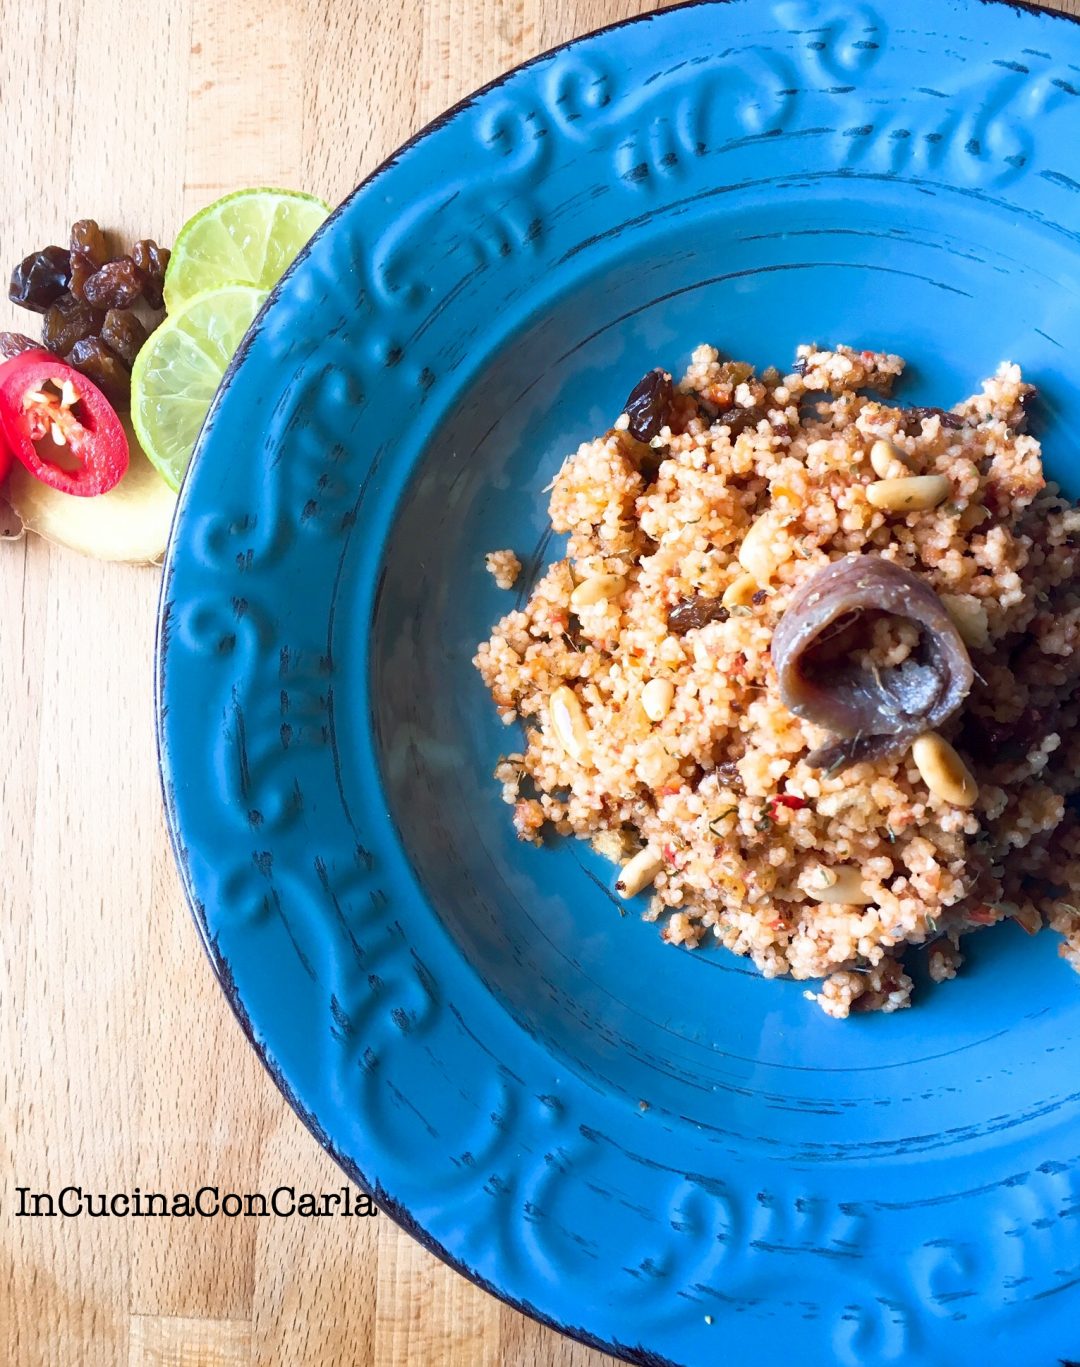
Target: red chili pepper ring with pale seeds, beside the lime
(42,397)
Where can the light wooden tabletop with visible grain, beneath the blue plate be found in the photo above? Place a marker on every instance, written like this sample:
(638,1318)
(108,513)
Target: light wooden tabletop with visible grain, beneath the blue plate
(122,1064)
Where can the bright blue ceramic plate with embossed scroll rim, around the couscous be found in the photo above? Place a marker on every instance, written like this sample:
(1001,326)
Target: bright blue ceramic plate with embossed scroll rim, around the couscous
(656,1150)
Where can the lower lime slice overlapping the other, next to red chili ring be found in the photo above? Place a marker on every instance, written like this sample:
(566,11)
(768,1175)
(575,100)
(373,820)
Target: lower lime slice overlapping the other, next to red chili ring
(177,374)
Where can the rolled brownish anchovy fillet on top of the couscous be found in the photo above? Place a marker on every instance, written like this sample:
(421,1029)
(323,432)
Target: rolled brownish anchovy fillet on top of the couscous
(873,714)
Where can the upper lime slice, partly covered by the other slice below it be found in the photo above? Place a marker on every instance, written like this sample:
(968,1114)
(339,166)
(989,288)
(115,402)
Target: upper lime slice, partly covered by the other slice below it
(245,239)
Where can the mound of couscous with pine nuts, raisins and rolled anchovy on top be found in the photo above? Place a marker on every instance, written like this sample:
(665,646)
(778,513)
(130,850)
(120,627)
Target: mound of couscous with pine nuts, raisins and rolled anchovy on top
(903,776)
